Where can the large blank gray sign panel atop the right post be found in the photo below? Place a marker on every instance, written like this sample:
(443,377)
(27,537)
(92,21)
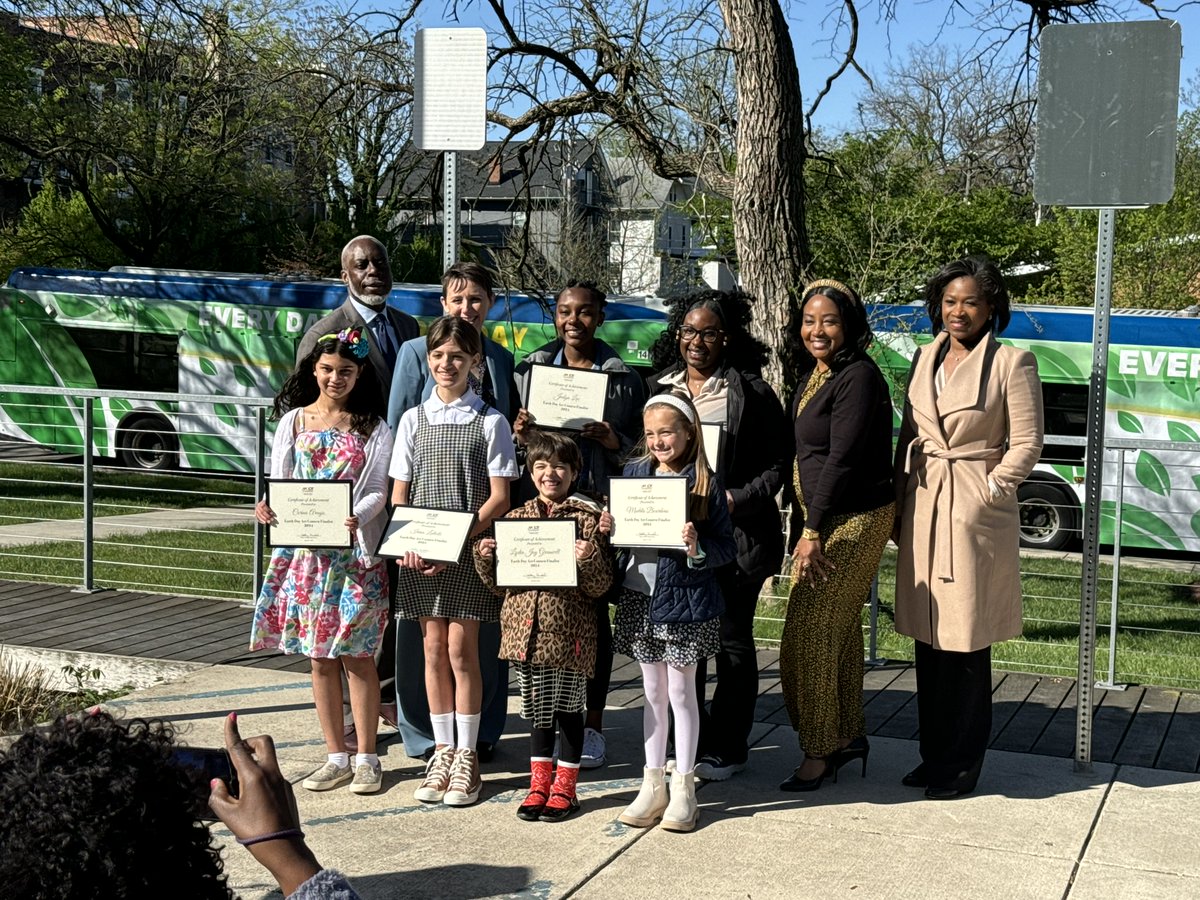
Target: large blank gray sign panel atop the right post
(1108,103)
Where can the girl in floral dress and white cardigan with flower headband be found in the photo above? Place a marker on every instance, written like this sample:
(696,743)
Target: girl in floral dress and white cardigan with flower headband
(332,605)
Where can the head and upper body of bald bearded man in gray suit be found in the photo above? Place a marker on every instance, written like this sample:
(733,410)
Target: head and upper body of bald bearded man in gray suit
(368,277)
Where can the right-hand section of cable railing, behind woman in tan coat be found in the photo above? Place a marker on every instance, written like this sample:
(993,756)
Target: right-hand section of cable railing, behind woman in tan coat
(1149,620)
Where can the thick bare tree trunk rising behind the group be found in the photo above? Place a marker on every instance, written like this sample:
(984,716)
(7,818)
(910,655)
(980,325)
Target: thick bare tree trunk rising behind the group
(769,197)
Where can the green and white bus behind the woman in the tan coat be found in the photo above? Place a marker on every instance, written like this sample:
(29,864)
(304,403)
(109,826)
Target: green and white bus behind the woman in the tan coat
(1154,395)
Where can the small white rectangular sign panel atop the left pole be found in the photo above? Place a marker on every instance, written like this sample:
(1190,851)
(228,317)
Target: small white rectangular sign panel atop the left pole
(451,88)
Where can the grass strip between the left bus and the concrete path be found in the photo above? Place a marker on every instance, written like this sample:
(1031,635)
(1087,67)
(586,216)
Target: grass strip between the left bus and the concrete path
(32,491)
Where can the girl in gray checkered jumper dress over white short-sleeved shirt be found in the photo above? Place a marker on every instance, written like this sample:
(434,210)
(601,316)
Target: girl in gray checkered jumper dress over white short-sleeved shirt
(453,453)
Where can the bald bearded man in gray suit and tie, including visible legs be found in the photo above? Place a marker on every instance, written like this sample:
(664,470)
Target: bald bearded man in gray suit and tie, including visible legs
(368,277)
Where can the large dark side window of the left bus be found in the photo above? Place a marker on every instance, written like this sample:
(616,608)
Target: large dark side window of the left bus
(130,362)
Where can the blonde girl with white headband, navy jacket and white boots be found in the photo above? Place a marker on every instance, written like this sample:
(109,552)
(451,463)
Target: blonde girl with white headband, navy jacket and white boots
(669,614)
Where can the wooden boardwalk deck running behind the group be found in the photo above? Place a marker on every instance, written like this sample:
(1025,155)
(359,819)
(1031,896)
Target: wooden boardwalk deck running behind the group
(1153,728)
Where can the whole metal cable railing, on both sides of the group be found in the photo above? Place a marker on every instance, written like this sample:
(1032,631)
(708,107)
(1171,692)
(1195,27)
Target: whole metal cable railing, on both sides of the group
(177,518)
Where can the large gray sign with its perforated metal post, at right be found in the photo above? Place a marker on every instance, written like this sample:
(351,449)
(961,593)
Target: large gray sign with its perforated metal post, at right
(1108,105)
